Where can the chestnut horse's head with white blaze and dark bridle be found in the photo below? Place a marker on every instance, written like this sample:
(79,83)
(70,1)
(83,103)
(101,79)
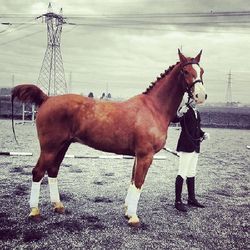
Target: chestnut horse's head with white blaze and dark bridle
(191,77)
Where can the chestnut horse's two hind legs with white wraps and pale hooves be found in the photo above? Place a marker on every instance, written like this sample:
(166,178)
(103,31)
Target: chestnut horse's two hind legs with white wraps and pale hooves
(50,162)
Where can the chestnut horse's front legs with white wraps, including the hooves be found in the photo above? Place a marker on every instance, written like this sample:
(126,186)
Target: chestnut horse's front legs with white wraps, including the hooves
(134,191)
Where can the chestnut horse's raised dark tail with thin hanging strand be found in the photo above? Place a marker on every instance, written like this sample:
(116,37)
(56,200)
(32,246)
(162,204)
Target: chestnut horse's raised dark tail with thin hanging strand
(27,93)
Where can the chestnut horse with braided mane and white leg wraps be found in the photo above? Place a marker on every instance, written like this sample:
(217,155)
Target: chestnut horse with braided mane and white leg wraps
(136,127)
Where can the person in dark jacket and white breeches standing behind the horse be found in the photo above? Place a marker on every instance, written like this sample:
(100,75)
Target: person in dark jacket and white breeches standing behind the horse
(189,148)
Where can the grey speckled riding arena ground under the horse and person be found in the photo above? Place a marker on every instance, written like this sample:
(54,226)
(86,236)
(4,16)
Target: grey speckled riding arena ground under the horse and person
(93,192)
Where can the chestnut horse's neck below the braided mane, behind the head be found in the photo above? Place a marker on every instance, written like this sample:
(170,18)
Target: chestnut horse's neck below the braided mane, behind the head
(168,93)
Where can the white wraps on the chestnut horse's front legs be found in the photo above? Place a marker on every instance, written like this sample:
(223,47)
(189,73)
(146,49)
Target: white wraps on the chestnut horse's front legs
(132,200)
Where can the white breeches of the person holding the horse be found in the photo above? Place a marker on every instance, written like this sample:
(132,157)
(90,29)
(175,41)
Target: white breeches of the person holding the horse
(187,164)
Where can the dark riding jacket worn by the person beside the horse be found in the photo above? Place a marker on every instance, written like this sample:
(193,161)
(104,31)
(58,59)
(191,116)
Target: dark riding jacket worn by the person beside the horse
(191,133)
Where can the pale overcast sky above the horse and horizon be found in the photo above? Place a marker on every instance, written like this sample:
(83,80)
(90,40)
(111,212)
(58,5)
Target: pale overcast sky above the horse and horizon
(121,46)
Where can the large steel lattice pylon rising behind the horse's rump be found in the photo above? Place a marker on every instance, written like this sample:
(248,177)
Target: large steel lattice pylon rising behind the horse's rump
(51,77)
